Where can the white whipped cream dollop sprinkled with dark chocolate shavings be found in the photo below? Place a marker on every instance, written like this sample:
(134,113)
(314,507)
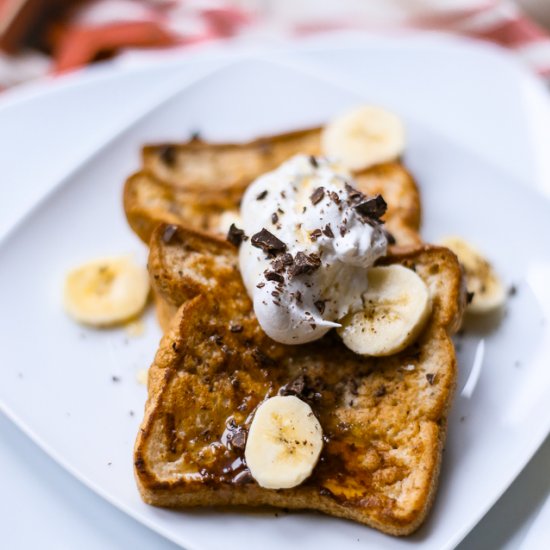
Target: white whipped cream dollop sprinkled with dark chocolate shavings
(310,236)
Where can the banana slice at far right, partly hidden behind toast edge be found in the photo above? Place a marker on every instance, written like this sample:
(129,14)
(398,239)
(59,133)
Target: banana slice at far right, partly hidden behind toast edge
(481,279)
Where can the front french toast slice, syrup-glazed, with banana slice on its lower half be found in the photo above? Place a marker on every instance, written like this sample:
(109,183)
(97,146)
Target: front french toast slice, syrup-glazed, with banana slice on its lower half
(384,419)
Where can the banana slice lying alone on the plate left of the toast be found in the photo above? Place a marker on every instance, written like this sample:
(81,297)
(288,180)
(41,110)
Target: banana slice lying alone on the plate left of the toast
(106,291)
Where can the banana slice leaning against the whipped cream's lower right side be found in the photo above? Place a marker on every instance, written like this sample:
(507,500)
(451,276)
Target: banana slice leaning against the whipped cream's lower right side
(396,307)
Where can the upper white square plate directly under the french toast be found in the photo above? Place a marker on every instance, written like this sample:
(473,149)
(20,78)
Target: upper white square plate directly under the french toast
(57,378)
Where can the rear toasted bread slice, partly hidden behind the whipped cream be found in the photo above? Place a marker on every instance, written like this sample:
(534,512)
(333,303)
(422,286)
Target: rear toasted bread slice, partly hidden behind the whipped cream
(192,184)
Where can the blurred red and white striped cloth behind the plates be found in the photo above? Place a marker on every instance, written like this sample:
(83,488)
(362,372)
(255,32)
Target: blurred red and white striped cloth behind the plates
(121,25)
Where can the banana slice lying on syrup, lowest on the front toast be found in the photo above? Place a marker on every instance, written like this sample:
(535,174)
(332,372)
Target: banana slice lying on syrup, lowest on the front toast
(284,443)
